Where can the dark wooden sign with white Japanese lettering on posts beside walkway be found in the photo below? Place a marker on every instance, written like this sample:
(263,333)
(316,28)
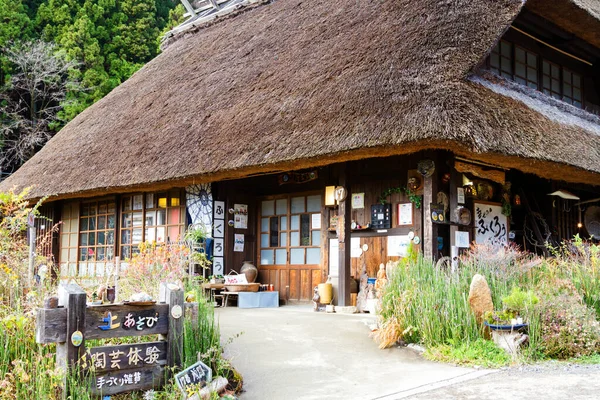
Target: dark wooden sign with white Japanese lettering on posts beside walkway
(120,368)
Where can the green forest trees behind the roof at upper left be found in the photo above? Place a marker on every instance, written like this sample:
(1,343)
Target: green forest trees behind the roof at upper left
(104,42)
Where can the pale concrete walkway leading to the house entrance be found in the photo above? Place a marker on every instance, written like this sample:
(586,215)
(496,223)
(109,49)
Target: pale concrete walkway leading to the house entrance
(294,353)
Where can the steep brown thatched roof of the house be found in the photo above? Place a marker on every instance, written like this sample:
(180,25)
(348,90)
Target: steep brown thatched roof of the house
(293,84)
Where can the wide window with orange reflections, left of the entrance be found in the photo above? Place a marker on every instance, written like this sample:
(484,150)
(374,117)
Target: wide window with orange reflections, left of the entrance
(151,217)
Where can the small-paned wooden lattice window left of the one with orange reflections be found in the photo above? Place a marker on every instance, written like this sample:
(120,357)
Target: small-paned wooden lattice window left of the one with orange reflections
(97,231)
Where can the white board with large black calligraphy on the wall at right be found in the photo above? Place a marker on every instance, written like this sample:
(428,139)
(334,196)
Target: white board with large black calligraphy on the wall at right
(491,226)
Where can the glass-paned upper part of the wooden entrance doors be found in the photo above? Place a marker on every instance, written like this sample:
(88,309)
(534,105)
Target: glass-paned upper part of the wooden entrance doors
(288,232)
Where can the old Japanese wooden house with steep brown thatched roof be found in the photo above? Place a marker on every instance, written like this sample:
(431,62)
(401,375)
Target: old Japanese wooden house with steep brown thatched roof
(340,92)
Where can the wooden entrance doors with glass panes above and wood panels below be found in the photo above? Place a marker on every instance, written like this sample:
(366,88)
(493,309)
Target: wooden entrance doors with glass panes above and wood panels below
(289,245)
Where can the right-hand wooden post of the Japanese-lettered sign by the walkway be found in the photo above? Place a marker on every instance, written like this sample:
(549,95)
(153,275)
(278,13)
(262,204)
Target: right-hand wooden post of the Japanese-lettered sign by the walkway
(174,297)
